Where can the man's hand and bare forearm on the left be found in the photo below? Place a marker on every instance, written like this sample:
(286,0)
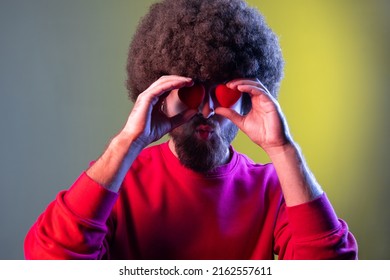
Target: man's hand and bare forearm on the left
(145,124)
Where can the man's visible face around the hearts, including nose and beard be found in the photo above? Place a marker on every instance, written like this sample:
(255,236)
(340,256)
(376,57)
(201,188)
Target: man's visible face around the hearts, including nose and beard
(206,129)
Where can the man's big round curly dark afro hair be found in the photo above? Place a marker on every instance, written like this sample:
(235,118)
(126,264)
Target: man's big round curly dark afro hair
(207,40)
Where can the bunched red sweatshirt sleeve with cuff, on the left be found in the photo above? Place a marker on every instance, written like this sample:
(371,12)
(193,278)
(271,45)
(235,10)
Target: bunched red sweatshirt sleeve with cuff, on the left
(74,225)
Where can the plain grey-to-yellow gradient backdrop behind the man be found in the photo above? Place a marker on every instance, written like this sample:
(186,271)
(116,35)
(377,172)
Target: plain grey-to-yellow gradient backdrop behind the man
(62,97)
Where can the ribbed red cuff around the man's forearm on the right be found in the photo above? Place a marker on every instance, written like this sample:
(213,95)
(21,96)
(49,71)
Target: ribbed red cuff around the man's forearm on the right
(314,218)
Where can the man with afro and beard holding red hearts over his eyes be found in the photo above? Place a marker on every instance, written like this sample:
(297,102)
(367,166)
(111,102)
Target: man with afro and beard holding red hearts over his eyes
(198,70)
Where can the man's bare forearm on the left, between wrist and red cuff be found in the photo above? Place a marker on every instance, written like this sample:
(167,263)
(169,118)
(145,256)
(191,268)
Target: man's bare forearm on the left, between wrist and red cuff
(111,167)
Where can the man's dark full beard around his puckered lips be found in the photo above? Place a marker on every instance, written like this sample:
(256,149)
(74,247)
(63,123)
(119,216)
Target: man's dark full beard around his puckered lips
(206,152)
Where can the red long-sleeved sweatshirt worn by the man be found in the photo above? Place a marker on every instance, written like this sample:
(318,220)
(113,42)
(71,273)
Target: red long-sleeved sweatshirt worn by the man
(166,211)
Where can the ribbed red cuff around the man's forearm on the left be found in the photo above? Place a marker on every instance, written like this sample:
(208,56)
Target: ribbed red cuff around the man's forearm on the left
(89,200)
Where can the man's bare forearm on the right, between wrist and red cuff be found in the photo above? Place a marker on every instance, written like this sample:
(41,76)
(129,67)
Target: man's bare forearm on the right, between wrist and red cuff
(298,183)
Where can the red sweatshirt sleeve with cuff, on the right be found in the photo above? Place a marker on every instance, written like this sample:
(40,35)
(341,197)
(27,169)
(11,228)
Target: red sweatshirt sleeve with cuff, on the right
(313,231)
